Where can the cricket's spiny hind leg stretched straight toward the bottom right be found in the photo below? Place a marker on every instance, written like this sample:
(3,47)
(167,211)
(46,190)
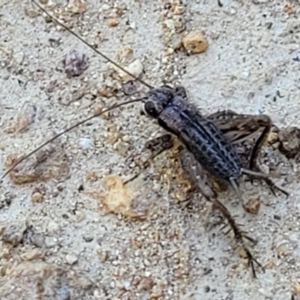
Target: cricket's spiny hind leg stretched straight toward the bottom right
(199,179)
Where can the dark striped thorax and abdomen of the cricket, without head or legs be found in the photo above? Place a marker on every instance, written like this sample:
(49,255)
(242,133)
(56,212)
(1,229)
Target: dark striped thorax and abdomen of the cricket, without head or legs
(204,140)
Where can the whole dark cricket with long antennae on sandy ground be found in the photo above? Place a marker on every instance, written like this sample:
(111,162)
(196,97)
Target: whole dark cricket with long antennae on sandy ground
(208,141)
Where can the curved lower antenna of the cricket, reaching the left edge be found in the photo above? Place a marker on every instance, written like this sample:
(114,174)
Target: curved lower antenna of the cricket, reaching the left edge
(67,130)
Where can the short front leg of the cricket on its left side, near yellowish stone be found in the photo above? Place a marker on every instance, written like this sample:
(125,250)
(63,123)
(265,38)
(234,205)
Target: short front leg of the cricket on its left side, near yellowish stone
(156,146)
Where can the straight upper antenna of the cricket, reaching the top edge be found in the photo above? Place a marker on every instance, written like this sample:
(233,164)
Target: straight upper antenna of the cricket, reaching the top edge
(89,45)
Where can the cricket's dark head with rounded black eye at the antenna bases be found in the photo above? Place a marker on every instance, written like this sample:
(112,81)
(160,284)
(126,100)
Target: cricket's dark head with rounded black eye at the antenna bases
(157,100)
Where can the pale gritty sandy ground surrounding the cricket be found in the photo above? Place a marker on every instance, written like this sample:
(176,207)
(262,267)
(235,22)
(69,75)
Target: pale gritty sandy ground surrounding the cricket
(62,237)
